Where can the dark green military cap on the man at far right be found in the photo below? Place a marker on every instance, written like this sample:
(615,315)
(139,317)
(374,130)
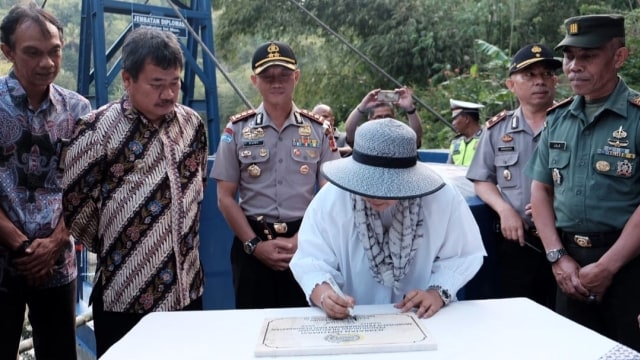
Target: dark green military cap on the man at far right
(592,31)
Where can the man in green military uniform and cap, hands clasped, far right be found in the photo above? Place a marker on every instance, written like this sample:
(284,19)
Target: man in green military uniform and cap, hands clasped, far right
(586,184)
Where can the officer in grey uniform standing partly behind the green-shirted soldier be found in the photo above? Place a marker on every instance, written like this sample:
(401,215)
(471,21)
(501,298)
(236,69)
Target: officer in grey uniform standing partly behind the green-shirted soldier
(497,174)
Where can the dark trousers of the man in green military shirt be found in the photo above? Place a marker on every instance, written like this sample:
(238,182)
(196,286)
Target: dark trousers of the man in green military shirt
(616,316)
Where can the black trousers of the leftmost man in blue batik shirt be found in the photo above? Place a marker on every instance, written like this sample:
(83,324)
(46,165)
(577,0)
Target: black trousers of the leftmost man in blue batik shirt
(52,313)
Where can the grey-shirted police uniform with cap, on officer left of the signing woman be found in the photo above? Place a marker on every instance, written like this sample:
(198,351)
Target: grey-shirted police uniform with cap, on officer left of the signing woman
(277,170)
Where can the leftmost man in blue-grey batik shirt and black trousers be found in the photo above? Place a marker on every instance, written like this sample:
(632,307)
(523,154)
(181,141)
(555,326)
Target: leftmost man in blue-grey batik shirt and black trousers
(37,262)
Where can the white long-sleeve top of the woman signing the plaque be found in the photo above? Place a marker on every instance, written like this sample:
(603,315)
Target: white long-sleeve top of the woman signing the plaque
(450,254)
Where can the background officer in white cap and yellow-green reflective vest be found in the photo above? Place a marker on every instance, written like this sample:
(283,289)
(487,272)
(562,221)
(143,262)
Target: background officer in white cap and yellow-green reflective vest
(466,122)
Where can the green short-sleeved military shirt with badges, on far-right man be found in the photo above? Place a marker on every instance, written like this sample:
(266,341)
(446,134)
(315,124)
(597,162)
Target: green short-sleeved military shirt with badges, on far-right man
(592,164)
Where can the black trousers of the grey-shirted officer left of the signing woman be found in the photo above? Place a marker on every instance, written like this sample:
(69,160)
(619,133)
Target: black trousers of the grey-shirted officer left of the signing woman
(257,286)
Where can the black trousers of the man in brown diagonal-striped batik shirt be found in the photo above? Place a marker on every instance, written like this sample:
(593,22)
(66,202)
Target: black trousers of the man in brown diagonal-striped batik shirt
(111,326)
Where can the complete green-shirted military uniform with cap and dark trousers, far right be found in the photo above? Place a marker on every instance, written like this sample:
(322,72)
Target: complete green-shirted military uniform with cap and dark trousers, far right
(592,163)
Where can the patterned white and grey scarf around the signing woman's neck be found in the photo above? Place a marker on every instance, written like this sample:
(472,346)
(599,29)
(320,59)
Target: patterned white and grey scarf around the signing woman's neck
(390,252)
